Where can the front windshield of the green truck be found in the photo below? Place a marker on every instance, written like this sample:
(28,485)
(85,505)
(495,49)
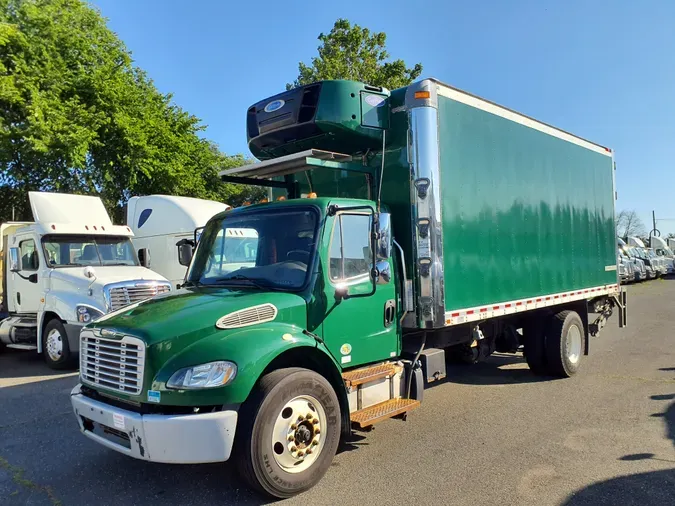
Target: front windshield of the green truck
(266,249)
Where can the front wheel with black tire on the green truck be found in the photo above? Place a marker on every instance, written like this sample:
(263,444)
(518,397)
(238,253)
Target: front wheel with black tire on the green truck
(264,458)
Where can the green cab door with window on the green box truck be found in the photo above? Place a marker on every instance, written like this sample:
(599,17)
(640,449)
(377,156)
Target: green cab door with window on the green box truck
(362,327)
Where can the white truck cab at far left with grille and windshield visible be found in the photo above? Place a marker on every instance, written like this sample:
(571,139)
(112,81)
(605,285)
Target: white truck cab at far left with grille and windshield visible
(65,269)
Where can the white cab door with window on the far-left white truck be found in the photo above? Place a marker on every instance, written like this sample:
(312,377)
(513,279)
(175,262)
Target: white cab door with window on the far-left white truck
(25,284)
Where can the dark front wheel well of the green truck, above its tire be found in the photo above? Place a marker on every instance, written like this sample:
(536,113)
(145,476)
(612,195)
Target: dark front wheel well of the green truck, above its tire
(314,360)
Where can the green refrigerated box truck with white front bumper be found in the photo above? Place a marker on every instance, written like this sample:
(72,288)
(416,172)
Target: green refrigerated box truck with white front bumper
(403,229)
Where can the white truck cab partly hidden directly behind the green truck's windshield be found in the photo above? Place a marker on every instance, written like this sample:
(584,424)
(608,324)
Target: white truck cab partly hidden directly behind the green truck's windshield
(160,221)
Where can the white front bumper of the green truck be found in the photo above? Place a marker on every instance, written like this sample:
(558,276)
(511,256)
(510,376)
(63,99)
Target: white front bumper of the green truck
(170,439)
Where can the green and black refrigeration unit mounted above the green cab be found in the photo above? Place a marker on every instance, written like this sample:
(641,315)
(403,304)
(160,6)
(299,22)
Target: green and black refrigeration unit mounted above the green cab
(341,116)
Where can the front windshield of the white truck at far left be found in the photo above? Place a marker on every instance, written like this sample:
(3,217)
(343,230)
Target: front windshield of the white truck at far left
(76,250)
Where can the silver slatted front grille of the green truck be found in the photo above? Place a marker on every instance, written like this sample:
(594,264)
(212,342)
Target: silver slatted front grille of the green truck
(114,364)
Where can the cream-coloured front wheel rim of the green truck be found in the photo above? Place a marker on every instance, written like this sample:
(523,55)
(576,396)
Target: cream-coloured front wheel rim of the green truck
(297,437)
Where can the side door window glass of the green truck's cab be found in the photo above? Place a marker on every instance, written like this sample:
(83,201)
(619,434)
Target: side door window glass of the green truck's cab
(350,249)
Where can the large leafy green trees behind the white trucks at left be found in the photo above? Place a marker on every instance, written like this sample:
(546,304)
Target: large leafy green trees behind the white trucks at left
(77,116)
